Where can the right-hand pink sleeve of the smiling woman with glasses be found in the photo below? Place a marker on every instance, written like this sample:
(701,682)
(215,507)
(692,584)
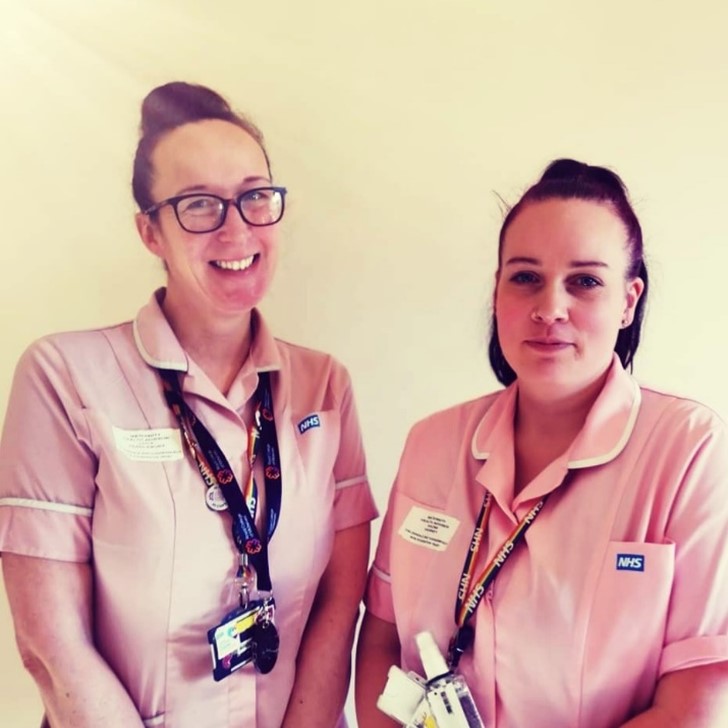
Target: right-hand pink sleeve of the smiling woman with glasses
(353,500)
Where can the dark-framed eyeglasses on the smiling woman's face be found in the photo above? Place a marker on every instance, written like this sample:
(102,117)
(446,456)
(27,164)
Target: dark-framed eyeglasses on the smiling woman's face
(204,213)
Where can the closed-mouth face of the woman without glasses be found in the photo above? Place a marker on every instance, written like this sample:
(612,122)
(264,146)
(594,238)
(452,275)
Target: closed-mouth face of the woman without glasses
(562,294)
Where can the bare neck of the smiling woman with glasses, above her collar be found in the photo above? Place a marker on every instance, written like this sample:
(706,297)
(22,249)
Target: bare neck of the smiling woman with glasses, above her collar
(219,345)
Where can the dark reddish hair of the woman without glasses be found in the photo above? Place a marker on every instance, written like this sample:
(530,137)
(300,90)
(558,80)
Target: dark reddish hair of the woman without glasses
(568,179)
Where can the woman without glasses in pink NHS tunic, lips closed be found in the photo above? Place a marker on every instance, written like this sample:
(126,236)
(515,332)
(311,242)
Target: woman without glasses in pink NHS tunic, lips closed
(565,539)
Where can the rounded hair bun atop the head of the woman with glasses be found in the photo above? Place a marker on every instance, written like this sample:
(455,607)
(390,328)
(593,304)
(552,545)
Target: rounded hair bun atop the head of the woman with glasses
(176,103)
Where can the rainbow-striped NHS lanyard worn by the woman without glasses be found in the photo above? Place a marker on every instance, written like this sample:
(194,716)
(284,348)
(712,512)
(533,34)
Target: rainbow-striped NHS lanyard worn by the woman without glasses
(467,601)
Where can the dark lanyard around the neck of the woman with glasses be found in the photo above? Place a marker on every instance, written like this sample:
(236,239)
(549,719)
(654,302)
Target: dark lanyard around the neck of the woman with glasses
(216,471)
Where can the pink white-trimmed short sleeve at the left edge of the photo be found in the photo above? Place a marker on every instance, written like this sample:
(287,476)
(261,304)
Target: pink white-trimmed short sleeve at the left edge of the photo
(47,467)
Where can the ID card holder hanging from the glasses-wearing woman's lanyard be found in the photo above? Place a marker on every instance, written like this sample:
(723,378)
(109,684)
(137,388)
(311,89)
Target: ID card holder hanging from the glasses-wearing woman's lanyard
(232,641)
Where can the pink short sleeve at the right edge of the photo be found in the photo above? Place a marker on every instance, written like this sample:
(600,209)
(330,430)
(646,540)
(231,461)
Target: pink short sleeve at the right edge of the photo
(697,622)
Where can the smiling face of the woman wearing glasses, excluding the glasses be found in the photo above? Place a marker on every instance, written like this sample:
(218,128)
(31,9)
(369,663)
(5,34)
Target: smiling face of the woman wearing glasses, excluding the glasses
(224,273)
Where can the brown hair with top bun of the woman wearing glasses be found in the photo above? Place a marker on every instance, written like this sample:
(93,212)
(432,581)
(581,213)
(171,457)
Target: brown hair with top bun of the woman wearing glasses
(169,106)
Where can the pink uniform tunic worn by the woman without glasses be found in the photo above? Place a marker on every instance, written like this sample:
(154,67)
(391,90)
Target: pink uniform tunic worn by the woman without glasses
(622,577)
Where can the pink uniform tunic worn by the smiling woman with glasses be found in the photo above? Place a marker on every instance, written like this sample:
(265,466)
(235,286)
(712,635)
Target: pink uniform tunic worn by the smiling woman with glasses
(93,469)
